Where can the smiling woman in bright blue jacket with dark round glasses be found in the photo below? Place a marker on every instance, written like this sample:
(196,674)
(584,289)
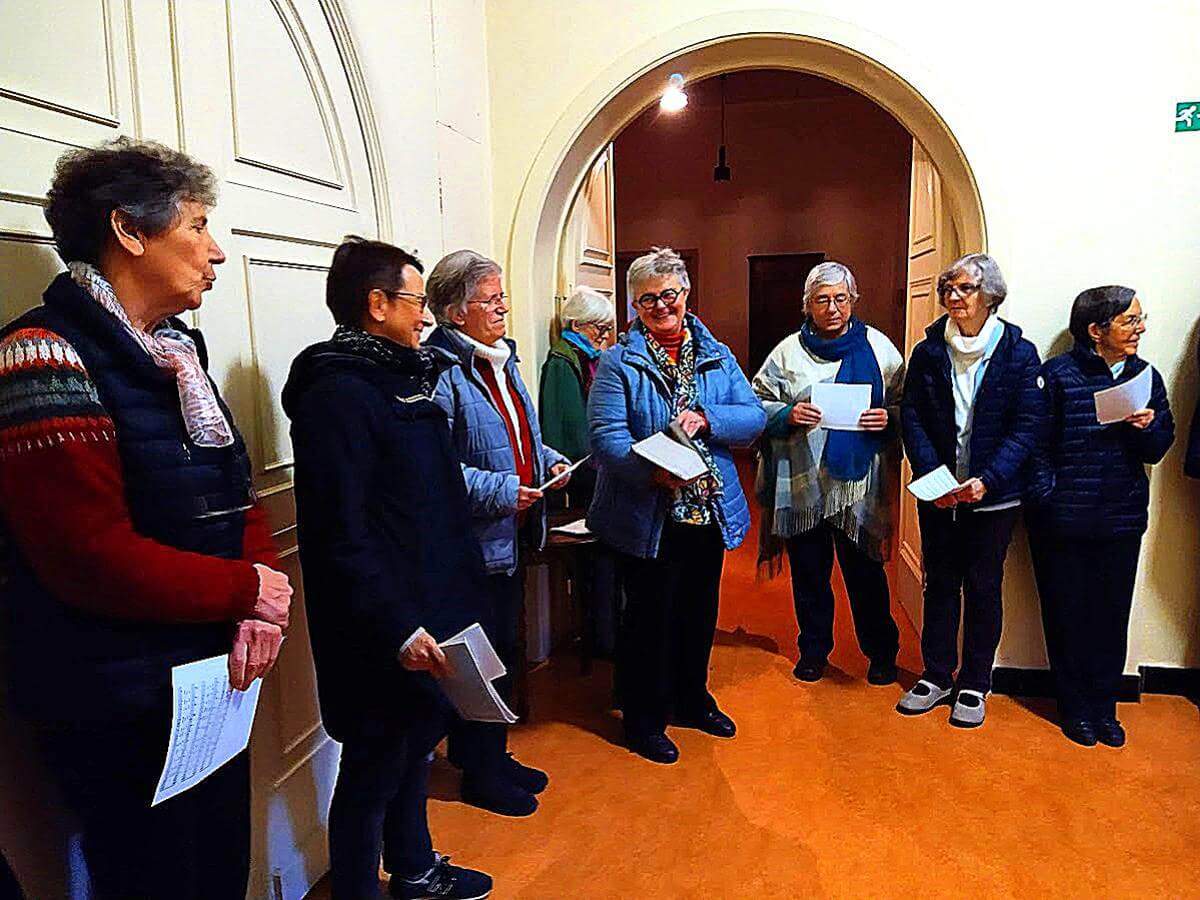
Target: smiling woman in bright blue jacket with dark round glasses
(671,536)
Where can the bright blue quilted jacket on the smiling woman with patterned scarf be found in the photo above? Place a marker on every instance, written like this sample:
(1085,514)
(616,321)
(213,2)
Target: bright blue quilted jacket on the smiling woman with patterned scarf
(631,401)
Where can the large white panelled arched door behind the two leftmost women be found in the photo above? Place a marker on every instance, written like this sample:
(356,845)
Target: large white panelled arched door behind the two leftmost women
(259,92)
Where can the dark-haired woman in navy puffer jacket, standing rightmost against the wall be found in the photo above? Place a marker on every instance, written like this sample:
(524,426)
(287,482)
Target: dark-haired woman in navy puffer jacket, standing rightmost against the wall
(1087,535)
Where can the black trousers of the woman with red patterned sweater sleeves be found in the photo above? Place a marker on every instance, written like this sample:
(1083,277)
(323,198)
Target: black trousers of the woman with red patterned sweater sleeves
(195,847)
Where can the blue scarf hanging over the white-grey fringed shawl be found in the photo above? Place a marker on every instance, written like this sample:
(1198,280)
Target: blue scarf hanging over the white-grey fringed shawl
(849,454)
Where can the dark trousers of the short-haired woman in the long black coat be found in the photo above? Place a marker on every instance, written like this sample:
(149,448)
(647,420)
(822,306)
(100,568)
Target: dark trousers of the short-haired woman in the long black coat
(380,803)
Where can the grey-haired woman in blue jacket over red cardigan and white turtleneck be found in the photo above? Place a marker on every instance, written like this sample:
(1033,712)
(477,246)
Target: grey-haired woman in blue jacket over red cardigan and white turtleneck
(497,436)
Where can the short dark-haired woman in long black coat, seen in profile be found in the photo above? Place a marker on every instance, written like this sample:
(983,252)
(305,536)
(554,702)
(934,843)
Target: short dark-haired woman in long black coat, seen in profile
(391,566)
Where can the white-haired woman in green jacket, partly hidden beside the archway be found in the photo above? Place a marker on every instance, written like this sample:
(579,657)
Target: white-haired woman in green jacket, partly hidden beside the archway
(567,379)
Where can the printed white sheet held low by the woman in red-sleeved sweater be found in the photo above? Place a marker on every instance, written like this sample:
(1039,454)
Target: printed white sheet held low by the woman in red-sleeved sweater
(211,724)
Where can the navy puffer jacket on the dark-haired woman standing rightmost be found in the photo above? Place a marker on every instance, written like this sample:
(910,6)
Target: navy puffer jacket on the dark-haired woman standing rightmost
(1096,473)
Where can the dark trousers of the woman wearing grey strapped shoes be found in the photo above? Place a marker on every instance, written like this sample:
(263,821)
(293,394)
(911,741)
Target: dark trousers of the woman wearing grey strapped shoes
(964,557)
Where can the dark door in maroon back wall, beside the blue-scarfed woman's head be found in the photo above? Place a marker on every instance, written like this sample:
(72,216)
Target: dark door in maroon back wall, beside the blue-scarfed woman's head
(777,287)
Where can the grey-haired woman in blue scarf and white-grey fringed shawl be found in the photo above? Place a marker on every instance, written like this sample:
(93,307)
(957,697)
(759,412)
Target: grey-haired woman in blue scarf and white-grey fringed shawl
(829,490)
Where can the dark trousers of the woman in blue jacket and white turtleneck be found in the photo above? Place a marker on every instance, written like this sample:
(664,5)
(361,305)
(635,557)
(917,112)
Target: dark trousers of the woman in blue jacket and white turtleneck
(478,748)
